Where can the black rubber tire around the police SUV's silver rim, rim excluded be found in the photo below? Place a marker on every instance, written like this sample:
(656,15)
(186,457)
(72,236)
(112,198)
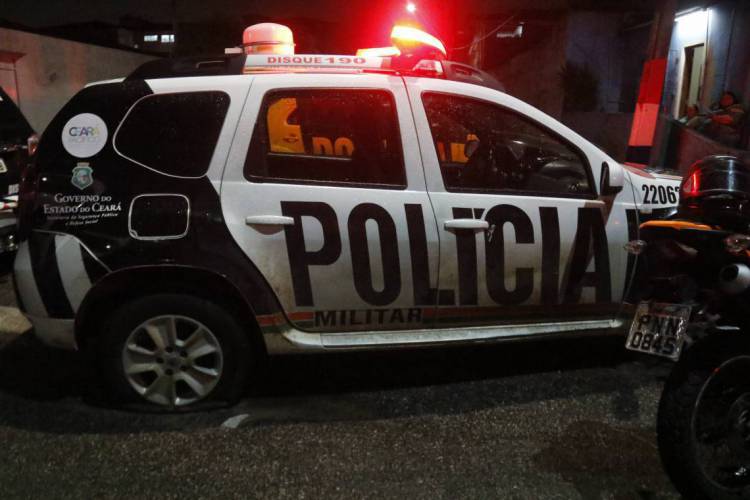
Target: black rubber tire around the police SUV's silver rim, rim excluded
(238,355)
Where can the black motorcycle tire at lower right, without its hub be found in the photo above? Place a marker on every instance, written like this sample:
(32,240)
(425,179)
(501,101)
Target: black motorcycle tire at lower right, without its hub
(678,445)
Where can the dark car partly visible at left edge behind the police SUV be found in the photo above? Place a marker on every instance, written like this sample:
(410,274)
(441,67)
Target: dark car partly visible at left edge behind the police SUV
(17,143)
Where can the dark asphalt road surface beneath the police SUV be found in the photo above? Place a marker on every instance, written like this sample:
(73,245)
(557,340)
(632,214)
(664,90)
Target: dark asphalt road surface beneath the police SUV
(562,419)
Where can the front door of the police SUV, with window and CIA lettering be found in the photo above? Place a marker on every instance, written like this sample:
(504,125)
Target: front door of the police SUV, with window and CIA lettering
(525,237)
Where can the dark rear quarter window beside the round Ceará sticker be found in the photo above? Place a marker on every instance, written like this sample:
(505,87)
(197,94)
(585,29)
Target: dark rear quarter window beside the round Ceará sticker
(174,134)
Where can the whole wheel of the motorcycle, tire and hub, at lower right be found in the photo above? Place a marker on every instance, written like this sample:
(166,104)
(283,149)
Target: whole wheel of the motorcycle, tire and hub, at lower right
(703,423)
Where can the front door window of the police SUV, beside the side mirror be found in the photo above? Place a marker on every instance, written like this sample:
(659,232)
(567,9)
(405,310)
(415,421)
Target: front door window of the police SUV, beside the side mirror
(484,147)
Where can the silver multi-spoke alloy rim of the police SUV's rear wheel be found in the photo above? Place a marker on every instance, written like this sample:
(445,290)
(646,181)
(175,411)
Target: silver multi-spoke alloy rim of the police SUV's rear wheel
(172,360)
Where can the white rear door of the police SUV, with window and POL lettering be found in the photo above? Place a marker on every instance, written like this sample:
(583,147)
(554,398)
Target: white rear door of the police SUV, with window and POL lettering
(324,191)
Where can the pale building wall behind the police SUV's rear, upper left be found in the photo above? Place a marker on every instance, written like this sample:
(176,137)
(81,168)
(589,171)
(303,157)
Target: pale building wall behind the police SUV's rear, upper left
(52,70)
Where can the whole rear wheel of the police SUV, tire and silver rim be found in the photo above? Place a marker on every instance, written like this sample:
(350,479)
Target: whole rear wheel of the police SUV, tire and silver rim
(174,352)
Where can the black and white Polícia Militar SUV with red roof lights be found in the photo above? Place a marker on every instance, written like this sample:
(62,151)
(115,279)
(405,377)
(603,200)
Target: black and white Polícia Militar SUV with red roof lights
(187,220)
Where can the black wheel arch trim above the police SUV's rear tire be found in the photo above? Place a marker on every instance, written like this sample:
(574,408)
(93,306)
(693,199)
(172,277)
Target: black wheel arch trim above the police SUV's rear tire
(127,284)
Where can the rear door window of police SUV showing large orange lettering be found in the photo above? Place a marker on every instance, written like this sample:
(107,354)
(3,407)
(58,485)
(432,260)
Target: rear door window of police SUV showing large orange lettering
(327,136)
